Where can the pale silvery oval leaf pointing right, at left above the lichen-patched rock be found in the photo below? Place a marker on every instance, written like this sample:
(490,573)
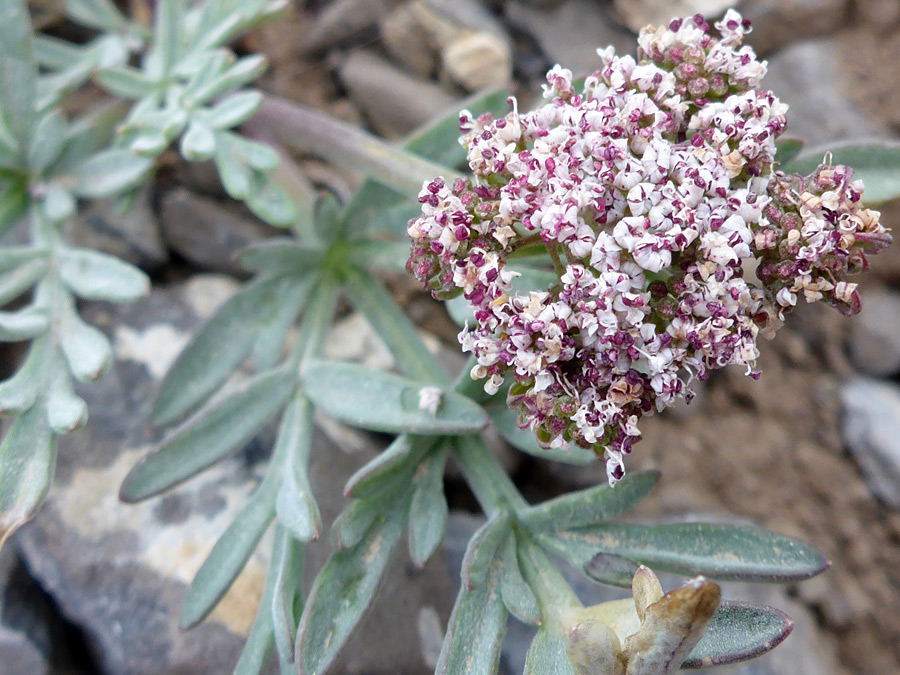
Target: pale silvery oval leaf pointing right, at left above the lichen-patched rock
(97,276)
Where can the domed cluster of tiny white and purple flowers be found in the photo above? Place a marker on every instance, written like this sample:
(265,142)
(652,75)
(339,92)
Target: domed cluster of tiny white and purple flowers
(676,240)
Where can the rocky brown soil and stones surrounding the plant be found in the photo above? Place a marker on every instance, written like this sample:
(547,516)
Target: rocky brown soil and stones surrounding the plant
(813,449)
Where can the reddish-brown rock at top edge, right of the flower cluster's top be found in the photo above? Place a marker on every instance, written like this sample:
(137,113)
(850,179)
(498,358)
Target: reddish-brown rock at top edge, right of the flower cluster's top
(777,23)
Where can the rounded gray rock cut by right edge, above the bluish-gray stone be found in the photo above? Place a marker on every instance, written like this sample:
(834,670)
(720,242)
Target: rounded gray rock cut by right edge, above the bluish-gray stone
(874,340)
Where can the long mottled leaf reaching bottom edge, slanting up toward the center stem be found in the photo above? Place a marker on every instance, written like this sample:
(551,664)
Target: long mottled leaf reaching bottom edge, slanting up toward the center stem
(343,590)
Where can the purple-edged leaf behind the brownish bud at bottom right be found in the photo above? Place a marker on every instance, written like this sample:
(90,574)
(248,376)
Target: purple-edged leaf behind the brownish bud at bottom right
(739,631)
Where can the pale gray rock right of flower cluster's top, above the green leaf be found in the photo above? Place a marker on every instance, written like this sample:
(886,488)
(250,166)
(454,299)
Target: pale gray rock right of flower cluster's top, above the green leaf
(805,76)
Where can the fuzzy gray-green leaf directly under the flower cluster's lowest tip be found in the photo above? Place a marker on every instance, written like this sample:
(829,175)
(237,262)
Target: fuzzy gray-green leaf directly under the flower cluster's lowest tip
(591,506)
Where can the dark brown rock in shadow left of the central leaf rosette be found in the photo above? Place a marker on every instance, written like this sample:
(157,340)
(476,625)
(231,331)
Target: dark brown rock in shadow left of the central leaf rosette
(208,234)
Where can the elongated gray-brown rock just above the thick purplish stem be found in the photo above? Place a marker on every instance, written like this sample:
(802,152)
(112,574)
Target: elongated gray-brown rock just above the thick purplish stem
(394,102)
